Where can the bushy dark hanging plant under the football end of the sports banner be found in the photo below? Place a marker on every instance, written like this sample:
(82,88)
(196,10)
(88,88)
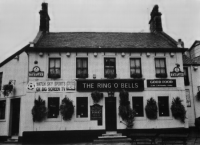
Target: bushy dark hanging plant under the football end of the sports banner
(39,110)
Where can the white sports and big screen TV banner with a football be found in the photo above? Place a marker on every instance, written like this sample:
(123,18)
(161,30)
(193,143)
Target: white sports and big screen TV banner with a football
(51,86)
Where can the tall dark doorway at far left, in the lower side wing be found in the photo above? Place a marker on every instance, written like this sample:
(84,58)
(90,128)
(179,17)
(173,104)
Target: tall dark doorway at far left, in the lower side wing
(14,116)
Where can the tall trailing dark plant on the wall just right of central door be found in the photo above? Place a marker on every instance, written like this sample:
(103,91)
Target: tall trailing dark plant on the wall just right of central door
(125,111)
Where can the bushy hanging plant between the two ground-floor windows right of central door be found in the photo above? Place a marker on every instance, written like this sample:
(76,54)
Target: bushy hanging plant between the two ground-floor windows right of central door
(151,109)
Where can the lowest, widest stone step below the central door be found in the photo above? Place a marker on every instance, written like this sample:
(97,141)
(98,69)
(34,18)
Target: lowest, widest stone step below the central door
(116,140)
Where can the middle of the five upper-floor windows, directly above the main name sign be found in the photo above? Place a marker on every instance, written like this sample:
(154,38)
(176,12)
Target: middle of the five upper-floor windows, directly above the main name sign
(109,68)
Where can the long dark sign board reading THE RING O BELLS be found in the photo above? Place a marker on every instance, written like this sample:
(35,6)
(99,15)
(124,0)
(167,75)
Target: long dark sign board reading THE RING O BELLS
(114,85)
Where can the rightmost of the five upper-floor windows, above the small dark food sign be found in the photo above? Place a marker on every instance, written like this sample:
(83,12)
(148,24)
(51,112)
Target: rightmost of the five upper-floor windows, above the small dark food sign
(160,66)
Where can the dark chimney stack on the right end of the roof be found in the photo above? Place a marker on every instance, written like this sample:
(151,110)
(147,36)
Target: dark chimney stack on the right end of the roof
(156,21)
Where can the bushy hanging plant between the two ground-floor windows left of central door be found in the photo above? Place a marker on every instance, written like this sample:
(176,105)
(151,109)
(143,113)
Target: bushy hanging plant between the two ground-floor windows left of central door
(67,109)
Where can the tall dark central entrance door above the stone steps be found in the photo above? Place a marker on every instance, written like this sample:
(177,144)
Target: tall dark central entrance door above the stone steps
(111,120)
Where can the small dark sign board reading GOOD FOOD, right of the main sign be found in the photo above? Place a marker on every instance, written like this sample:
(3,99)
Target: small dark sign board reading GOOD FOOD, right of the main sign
(161,83)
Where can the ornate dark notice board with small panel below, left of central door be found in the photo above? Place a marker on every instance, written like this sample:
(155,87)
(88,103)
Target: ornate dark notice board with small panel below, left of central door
(96,113)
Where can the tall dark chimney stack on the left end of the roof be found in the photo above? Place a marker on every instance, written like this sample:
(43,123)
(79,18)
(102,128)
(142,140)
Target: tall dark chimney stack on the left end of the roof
(44,18)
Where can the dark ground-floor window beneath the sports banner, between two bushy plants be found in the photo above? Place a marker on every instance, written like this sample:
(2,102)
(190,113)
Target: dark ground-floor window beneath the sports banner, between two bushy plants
(53,107)
